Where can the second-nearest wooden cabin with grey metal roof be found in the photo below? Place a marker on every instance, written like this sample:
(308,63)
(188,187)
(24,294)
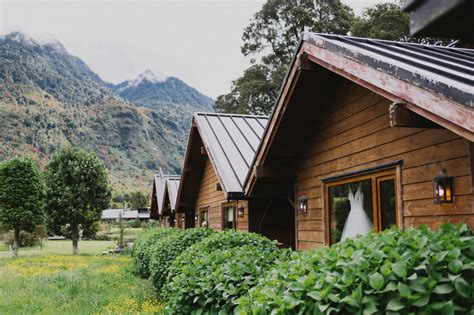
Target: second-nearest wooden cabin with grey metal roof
(220,151)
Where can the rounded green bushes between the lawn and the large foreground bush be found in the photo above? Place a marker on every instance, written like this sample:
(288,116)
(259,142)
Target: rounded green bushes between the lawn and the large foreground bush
(201,270)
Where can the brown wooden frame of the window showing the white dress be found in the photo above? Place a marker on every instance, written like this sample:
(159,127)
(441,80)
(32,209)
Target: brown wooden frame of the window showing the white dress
(376,176)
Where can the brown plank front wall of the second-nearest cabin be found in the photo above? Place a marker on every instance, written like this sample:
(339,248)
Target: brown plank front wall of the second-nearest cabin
(212,199)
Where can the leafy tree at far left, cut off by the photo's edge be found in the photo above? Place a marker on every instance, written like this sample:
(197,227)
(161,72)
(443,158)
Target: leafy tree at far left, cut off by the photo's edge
(21,197)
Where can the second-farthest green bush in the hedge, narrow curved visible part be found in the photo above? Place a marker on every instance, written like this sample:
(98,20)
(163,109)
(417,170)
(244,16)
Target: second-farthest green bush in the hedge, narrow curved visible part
(168,248)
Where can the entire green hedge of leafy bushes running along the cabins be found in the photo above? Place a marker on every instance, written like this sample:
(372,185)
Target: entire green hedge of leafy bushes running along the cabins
(416,271)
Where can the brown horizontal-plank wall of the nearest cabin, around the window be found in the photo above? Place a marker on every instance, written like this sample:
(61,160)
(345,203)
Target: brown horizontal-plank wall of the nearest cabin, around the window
(354,133)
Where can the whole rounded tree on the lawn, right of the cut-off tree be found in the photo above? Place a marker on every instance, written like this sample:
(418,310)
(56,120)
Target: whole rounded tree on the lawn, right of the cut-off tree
(77,191)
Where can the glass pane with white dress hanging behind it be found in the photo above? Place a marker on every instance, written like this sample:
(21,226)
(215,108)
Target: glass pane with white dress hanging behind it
(350,209)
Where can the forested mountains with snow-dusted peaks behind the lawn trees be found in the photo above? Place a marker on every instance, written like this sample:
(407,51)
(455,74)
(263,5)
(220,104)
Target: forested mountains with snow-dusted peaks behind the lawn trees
(50,99)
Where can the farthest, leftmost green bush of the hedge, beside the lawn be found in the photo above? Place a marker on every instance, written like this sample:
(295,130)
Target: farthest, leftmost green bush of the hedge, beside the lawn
(141,248)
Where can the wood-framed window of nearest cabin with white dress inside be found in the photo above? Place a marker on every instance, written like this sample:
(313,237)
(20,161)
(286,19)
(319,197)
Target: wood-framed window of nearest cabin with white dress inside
(358,205)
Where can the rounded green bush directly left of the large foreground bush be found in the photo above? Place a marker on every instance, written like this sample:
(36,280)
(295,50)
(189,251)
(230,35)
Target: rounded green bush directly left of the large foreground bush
(212,281)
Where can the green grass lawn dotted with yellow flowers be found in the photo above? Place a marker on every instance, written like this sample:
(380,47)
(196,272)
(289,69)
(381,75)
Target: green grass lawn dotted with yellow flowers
(67,284)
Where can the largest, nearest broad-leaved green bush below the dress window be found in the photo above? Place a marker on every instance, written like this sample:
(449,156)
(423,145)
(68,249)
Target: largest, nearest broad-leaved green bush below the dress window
(414,271)
